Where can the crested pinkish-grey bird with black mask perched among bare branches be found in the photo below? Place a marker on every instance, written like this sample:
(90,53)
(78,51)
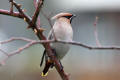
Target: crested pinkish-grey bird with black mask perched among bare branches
(61,30)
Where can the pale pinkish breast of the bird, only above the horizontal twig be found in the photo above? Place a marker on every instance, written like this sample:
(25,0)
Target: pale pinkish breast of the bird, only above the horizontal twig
(63,30)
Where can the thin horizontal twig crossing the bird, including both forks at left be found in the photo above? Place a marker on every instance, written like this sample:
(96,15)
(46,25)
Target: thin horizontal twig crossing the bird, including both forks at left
(33,42)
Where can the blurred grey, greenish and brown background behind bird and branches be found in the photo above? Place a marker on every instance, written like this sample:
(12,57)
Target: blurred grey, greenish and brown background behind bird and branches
(80,63)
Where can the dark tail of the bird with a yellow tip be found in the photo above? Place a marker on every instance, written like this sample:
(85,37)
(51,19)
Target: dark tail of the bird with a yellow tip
(48,64)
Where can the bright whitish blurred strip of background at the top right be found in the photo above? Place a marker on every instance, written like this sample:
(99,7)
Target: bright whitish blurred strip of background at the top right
(87,5)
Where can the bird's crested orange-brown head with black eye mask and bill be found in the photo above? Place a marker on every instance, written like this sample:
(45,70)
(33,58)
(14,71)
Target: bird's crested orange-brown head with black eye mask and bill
(67,16)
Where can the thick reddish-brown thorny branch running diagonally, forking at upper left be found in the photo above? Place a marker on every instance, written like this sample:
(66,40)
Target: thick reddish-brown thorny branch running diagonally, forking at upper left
(38,32)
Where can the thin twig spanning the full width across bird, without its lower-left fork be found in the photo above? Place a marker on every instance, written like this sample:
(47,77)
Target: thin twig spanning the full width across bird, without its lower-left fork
(60,41)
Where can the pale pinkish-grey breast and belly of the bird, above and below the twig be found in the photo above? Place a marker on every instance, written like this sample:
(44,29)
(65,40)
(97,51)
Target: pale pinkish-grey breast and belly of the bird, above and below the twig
(63,31)
